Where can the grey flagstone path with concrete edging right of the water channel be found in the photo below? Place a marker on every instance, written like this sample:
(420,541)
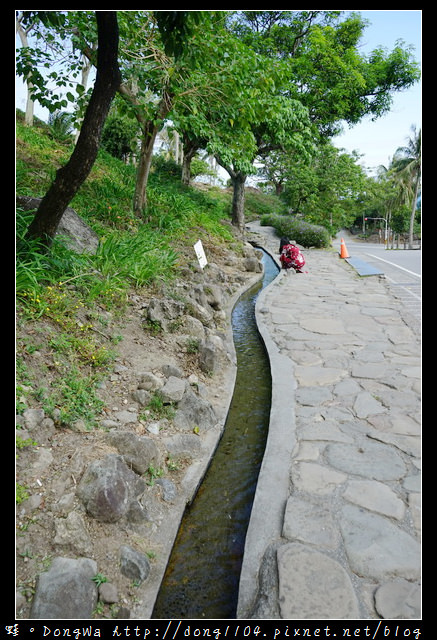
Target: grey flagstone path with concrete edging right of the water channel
(335,527)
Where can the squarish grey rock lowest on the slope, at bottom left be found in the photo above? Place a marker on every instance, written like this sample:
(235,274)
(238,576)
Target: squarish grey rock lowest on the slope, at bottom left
(66,590)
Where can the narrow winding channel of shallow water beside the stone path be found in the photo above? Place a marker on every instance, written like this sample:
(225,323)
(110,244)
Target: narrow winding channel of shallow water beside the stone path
(203,572)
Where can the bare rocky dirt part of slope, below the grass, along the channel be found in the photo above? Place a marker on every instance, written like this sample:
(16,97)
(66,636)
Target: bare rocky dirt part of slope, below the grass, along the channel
(104,506)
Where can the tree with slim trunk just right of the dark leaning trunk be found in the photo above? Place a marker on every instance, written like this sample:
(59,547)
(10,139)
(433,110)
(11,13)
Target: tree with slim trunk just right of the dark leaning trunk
(160,71)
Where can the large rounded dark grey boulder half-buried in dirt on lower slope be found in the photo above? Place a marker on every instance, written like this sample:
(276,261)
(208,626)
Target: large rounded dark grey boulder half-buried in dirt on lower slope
(108,487)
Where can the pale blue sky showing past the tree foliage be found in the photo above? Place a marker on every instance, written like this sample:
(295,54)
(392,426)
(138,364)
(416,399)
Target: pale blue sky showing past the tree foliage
(376,141)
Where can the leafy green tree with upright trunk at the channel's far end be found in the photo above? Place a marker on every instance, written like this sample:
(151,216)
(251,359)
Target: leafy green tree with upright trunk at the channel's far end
(249,118)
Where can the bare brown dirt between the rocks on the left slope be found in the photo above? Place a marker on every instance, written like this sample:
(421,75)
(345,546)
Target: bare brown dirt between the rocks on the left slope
(52,469)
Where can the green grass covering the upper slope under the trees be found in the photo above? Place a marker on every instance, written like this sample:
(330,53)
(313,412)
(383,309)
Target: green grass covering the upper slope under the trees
(58,292)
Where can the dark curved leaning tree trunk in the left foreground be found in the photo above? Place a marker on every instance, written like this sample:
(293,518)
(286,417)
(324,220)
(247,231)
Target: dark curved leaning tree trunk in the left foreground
(69,178)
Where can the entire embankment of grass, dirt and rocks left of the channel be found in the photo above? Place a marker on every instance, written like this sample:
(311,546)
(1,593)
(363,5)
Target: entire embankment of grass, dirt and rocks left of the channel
(124,375)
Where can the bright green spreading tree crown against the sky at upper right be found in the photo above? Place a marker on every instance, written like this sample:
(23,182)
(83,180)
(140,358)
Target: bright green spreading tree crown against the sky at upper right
(326,71)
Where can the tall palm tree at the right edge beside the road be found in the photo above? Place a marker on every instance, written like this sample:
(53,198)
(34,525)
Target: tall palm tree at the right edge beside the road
(407,166)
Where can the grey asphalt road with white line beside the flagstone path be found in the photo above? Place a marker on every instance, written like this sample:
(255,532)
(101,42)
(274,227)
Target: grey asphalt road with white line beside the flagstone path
(401,267)
